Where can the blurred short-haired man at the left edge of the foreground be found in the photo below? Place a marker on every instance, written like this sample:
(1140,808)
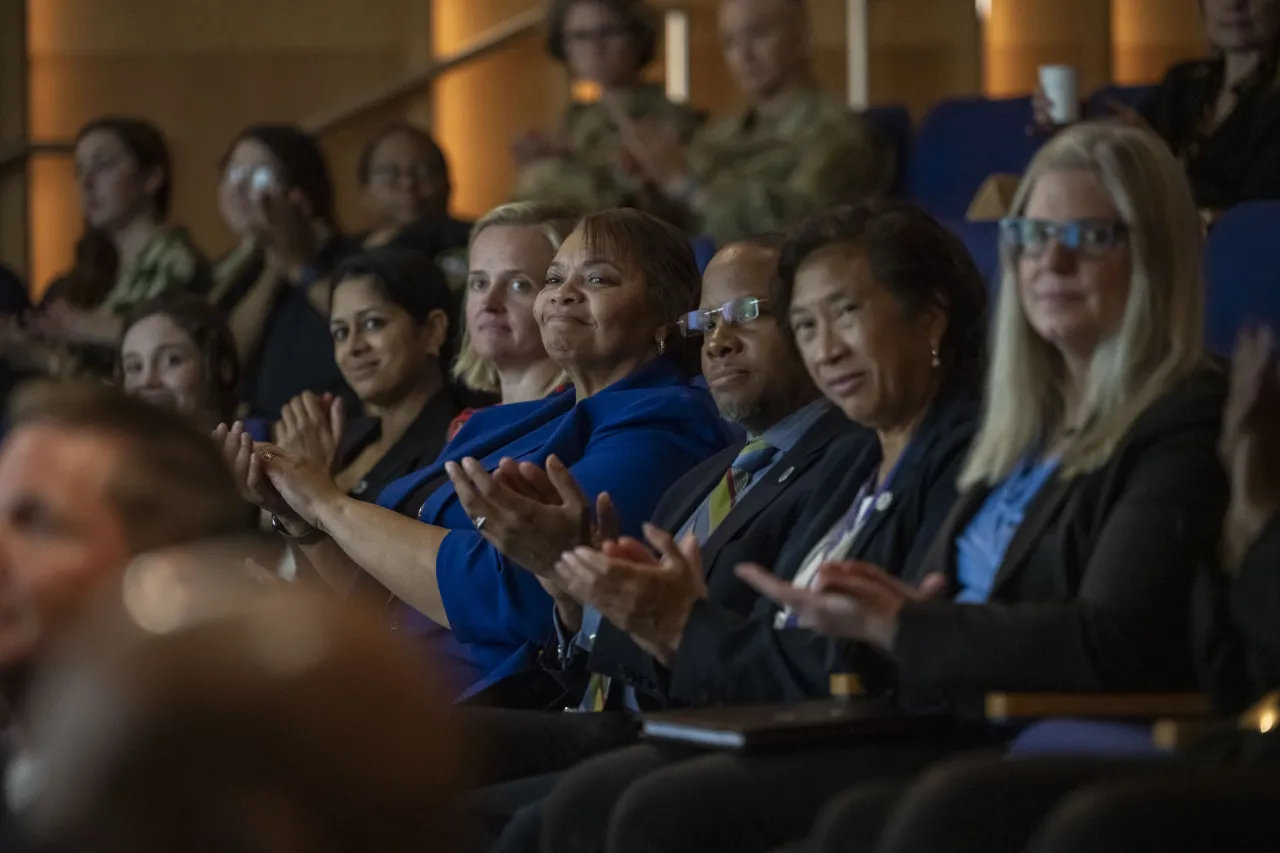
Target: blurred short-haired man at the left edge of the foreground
(89,478)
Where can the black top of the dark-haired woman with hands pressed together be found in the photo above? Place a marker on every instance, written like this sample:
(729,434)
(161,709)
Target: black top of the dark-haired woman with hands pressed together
(418,448)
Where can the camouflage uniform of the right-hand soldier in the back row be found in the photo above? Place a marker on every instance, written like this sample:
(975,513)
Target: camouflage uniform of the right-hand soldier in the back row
(756,175)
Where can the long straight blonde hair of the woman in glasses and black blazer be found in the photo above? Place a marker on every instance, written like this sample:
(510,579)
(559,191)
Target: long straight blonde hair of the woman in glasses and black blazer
(1160,340)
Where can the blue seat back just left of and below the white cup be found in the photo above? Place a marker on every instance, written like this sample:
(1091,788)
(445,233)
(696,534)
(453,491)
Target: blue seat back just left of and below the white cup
(963,142)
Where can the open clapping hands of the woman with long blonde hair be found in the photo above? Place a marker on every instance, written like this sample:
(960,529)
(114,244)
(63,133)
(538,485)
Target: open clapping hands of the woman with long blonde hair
(851,600)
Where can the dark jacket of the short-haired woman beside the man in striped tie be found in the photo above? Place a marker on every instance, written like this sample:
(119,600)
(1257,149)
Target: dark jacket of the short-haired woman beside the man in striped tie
(726,658)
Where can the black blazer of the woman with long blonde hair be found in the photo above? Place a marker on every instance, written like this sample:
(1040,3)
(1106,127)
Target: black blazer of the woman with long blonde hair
(1094,591)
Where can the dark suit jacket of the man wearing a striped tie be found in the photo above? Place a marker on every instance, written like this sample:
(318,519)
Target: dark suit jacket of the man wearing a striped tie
(755,531)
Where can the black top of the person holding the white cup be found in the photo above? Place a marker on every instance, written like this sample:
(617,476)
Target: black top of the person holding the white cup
(1241,159)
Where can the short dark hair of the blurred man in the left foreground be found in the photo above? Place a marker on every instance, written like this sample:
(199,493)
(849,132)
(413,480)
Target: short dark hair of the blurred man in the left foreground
(172,486)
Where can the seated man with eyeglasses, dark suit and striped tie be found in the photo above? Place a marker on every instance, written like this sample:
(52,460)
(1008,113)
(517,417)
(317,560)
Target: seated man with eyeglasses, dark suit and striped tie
(735,508)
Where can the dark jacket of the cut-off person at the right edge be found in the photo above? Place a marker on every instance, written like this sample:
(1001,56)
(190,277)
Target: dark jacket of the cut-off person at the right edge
(1238,626)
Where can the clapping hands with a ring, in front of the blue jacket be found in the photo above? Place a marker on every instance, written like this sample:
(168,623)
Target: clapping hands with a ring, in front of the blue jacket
(532,530)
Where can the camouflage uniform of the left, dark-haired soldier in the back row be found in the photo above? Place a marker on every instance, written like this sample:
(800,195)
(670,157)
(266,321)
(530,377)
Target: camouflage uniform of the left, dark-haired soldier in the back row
(589,175)
